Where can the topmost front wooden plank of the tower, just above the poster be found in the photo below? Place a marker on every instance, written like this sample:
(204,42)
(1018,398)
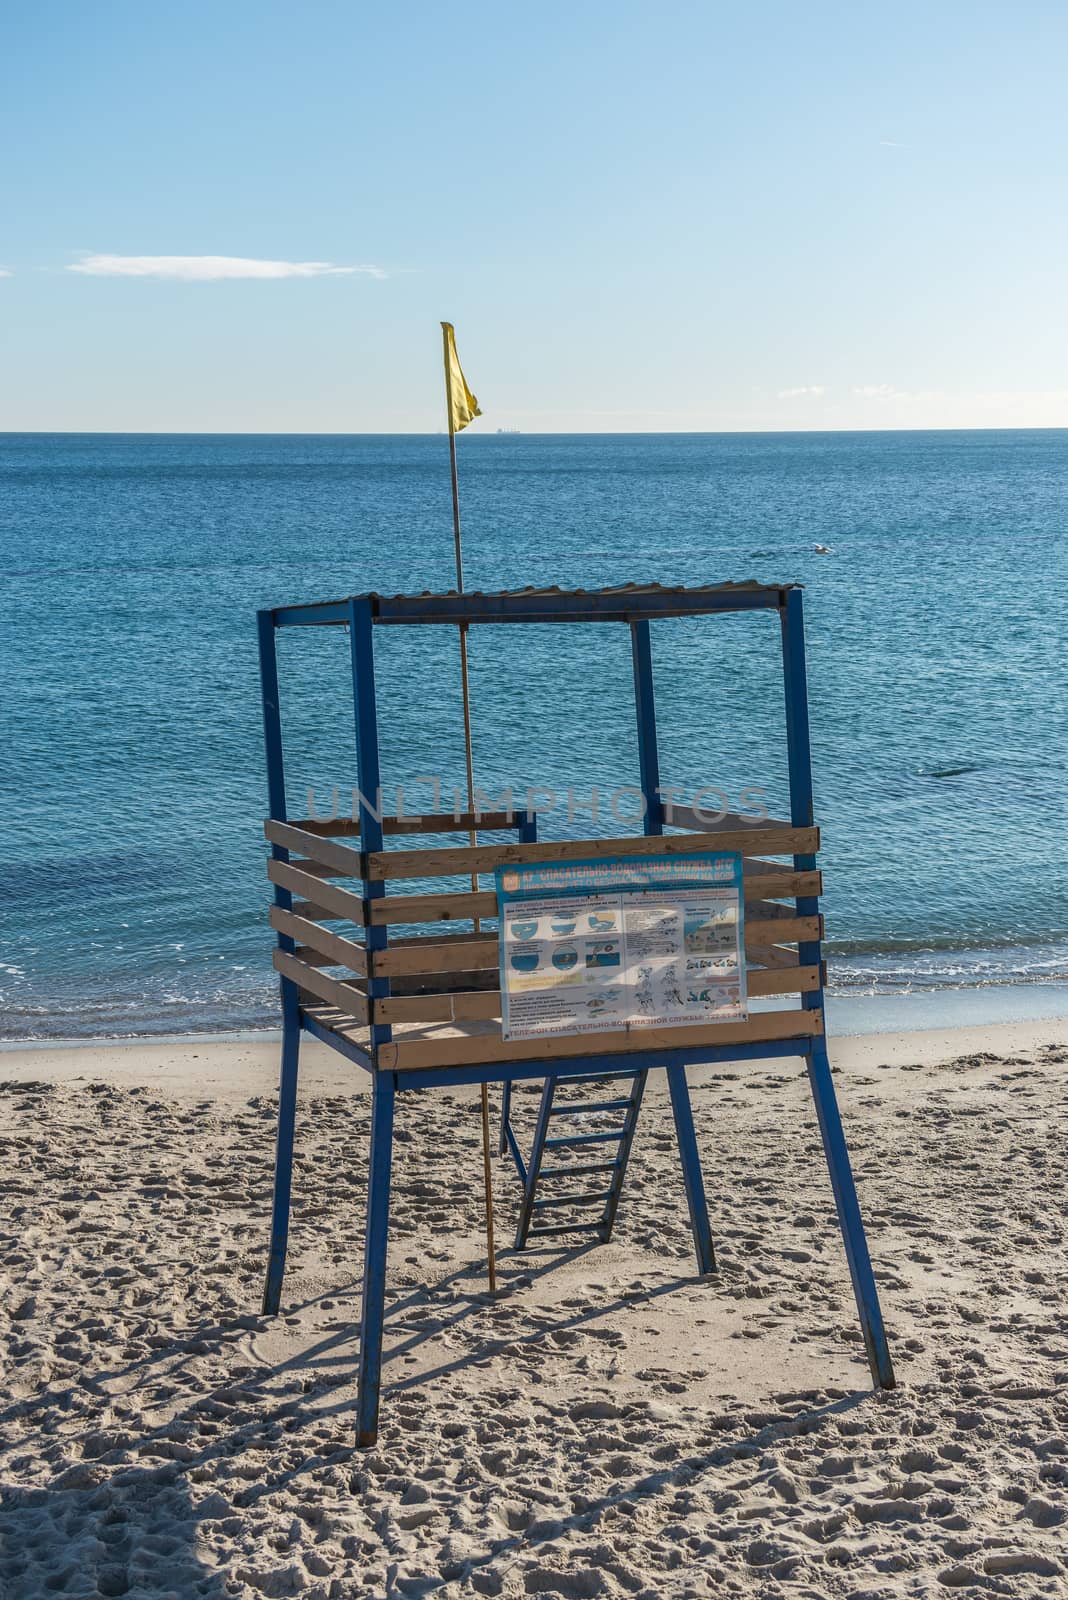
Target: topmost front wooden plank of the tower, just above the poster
(779,841)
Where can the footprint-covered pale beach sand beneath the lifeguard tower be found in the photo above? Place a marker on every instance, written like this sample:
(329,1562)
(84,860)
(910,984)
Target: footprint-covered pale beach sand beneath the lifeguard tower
(612,1426)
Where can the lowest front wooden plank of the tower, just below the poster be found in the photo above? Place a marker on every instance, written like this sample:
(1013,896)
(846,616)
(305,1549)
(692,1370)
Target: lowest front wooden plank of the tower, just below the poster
(474,1050)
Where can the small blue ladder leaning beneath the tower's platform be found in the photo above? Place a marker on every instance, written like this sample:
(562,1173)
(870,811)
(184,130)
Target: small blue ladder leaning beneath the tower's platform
(576,1186)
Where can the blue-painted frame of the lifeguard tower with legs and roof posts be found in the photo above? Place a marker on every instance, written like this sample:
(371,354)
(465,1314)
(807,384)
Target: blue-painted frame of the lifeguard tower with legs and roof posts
(634,607)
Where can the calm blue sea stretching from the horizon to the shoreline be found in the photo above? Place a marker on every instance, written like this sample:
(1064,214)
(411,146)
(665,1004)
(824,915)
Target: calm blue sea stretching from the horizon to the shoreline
(132,766)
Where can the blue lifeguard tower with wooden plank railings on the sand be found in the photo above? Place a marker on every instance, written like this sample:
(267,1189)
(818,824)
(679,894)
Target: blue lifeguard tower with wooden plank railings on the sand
(424,1010)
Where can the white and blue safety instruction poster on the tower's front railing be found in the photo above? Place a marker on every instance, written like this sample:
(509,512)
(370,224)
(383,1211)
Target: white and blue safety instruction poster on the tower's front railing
(621,942)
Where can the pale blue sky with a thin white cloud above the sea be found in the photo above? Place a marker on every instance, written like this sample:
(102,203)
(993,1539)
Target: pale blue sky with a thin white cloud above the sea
(682,217)
